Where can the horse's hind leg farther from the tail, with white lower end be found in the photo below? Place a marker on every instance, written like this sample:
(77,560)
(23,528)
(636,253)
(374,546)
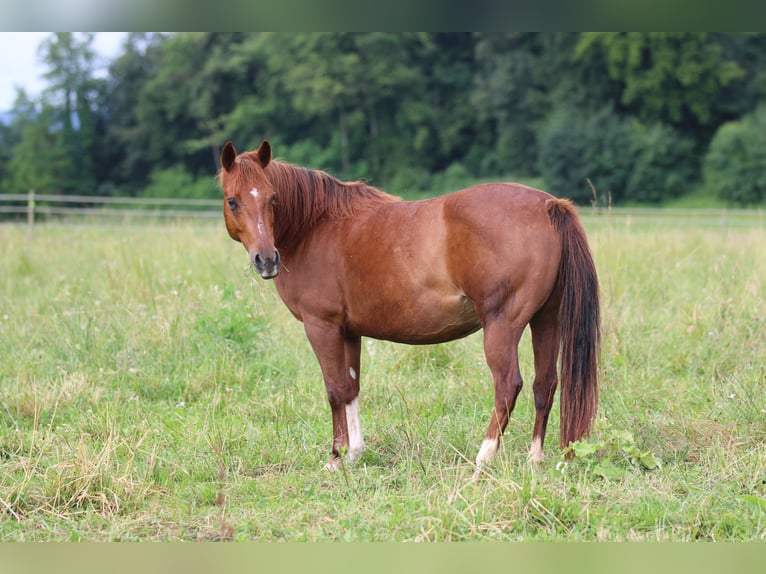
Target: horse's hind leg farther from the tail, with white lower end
(501,340)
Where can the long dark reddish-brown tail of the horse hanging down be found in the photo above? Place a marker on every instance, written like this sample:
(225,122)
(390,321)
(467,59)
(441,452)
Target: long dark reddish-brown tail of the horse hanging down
(580,324)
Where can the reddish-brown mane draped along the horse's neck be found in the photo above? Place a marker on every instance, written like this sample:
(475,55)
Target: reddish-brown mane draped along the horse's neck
(306,197)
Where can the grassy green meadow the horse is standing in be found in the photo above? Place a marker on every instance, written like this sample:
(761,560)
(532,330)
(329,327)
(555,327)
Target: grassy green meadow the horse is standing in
(151,388)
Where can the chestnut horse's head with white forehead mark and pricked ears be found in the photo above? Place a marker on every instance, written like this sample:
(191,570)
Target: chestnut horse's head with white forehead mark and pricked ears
(248,205)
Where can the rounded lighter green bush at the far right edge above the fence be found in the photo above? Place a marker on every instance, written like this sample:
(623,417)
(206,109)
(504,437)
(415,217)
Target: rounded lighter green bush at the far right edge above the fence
(734,165)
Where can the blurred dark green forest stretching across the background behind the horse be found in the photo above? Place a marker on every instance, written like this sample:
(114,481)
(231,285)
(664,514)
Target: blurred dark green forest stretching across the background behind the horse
(623,118)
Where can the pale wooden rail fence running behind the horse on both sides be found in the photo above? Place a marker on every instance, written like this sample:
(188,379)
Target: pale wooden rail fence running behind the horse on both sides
(34,207)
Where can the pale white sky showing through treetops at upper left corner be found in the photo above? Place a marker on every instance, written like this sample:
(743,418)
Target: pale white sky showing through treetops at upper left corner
(20,66)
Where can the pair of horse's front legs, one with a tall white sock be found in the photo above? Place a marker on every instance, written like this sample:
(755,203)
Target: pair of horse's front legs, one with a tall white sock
(339,360)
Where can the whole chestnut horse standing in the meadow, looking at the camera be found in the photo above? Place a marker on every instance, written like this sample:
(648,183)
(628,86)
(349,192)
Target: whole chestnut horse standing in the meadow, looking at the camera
(351,261)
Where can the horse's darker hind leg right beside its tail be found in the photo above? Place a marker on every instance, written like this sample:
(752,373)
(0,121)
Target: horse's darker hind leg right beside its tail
(546,339)
